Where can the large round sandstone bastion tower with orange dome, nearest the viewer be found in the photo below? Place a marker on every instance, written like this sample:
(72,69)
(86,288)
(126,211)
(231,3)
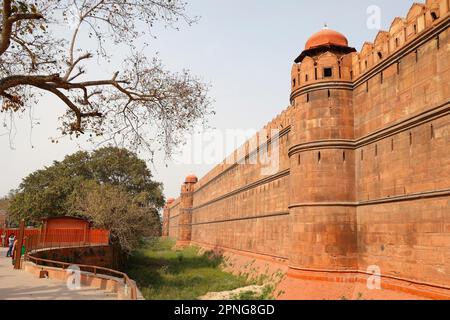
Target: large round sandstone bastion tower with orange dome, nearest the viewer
(322,160)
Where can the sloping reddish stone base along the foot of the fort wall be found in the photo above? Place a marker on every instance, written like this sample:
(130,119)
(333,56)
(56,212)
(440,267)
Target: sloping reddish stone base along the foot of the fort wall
(296,284)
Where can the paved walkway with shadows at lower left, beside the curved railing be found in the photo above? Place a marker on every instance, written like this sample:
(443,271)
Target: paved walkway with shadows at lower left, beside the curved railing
(21,285)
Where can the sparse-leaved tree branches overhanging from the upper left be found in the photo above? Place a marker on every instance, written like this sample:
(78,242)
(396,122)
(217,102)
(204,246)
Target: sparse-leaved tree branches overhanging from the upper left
(142,106)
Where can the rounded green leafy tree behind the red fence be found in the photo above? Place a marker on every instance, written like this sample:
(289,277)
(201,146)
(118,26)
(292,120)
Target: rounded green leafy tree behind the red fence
(72,187)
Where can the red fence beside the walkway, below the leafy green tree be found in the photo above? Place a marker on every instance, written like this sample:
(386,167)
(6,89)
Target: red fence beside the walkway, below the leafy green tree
(56,238)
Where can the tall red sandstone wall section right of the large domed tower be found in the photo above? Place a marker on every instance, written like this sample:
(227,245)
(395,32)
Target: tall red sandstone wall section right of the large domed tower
(402,129)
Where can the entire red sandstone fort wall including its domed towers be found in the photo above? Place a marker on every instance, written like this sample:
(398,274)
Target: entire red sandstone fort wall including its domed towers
(363,165)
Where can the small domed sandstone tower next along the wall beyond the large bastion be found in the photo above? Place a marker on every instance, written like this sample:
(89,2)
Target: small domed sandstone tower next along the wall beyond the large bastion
(185,219)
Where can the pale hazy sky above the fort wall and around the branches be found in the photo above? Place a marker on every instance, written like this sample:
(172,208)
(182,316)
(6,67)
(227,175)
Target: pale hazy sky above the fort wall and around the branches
(243,48)
